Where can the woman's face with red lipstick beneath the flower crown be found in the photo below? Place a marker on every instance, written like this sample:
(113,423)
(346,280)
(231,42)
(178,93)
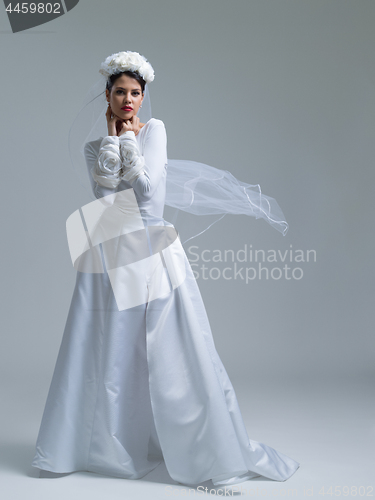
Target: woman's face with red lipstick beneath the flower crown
(125,97)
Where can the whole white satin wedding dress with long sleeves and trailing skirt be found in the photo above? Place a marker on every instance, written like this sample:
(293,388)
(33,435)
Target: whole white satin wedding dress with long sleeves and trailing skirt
(138,379)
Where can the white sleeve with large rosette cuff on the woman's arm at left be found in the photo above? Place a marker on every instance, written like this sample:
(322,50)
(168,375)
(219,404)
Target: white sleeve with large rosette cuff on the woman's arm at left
(104,166)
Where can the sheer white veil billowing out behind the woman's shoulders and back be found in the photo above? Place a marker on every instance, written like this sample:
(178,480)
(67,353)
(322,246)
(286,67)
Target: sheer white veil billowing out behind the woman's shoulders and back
(197,195)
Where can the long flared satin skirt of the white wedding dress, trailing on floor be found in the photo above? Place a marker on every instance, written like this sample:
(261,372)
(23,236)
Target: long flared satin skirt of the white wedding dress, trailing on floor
(137,386)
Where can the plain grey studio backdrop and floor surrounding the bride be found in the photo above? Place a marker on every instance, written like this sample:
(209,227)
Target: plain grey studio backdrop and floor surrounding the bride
(280,93)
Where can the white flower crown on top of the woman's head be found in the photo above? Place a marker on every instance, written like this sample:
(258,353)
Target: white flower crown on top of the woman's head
(127,61)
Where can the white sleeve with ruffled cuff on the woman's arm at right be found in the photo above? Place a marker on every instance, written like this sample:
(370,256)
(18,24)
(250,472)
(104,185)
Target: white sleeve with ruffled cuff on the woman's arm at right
(144,172)
